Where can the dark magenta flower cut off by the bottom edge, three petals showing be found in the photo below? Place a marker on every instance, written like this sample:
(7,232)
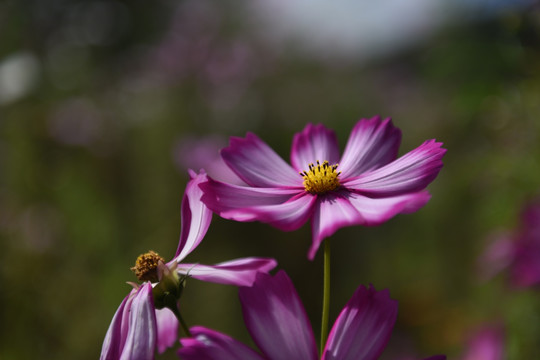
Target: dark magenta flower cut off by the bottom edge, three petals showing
(278,324)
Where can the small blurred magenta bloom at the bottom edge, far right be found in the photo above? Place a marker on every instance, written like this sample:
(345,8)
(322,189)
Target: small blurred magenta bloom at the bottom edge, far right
(486,344)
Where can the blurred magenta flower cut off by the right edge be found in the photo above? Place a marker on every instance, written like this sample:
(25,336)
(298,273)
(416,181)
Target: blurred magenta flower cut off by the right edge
(518,252)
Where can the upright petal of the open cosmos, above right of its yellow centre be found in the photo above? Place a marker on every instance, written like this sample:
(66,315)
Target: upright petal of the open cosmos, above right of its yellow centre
(372,144)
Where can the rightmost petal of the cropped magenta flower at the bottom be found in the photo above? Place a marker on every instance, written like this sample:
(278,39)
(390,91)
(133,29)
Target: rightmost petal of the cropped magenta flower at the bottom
(363,327)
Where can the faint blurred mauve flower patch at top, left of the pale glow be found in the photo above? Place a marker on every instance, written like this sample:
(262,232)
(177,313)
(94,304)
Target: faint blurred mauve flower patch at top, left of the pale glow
(194,48)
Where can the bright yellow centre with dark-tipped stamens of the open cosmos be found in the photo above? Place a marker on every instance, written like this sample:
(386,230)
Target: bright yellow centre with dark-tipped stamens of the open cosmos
(321,178)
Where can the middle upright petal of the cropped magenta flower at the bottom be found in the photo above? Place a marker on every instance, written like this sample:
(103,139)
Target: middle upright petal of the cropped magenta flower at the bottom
(276,319)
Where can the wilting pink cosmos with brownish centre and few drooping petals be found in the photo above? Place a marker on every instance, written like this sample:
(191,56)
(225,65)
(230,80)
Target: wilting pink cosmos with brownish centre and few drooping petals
(138,327)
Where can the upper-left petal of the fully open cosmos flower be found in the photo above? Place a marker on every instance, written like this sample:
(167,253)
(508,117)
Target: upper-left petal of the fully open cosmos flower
(257,164)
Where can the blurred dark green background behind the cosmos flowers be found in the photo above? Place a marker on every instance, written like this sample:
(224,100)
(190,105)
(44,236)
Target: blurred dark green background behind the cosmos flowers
(102,103)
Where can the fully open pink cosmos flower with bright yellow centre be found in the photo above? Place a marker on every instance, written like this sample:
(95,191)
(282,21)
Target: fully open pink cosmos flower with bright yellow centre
(368,187)
